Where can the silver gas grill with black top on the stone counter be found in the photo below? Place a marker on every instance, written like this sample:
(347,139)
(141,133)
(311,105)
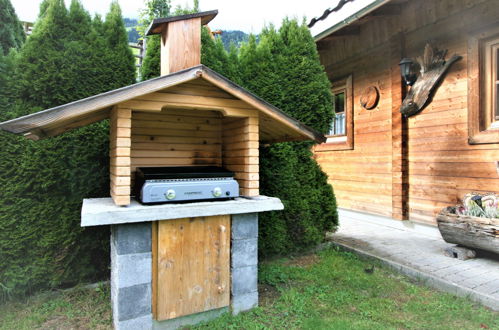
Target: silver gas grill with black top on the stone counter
(181,184)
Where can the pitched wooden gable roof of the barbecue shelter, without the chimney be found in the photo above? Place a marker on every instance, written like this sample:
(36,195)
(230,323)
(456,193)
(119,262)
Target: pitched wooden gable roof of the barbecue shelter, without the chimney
(276,126)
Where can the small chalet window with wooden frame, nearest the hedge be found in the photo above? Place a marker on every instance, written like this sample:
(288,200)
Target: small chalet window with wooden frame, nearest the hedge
(340,135)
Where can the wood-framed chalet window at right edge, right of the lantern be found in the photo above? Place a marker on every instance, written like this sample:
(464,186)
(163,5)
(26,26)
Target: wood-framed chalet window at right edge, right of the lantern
(483,87)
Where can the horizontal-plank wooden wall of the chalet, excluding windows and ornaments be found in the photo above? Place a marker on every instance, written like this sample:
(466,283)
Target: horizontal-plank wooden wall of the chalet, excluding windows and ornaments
(441,165)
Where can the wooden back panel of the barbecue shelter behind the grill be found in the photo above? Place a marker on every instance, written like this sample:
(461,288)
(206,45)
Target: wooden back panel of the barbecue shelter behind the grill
(176,137)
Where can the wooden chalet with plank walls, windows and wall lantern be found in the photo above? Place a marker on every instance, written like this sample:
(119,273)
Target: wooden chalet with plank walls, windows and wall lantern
(411,167)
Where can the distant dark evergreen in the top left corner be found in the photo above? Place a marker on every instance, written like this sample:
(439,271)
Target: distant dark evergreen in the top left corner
(11,30)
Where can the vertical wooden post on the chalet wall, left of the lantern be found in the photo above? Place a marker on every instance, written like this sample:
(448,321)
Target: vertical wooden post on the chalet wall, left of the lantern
(399,134)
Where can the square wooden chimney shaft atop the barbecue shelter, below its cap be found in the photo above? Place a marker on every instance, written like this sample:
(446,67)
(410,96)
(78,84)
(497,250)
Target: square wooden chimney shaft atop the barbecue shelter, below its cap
(180,45)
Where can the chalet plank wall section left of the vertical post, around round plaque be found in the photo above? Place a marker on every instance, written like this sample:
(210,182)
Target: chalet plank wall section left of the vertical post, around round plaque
(362,177)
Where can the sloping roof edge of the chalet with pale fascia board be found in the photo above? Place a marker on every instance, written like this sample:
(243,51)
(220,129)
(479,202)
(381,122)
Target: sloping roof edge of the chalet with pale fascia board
(351,24)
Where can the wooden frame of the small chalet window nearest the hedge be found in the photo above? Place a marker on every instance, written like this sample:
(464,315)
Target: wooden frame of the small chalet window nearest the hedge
(342,142)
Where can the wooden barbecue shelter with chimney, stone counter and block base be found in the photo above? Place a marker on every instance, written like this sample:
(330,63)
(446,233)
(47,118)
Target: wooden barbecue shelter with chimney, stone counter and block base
(194,257)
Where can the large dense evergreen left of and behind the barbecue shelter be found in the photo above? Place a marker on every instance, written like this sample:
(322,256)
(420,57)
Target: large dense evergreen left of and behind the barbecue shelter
(44,182)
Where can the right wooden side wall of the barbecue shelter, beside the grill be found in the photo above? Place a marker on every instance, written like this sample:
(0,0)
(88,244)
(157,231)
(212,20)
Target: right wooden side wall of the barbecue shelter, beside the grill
(241,154)
